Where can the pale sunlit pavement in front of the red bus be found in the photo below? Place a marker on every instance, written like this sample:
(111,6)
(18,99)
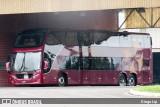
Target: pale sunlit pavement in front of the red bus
(67,92)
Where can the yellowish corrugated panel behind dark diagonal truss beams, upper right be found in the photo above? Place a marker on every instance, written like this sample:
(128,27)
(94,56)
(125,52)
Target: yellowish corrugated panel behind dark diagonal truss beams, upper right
(151,15)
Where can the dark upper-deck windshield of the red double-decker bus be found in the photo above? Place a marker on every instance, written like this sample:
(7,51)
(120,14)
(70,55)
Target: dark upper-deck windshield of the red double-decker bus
(29,40)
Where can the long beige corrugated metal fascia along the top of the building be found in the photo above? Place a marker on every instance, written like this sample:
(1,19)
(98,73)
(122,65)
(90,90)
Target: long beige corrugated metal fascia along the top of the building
(32,6)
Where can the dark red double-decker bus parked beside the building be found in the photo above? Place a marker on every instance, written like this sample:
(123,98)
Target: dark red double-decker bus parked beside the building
(82,57)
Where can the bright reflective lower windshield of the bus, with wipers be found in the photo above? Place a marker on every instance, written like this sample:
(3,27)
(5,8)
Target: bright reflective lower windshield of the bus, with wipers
(30,61)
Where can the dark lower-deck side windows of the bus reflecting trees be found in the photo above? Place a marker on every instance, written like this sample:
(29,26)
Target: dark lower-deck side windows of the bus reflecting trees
(96,63)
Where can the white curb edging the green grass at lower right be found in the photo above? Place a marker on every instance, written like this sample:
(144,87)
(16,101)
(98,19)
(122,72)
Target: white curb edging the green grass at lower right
(148,94)
